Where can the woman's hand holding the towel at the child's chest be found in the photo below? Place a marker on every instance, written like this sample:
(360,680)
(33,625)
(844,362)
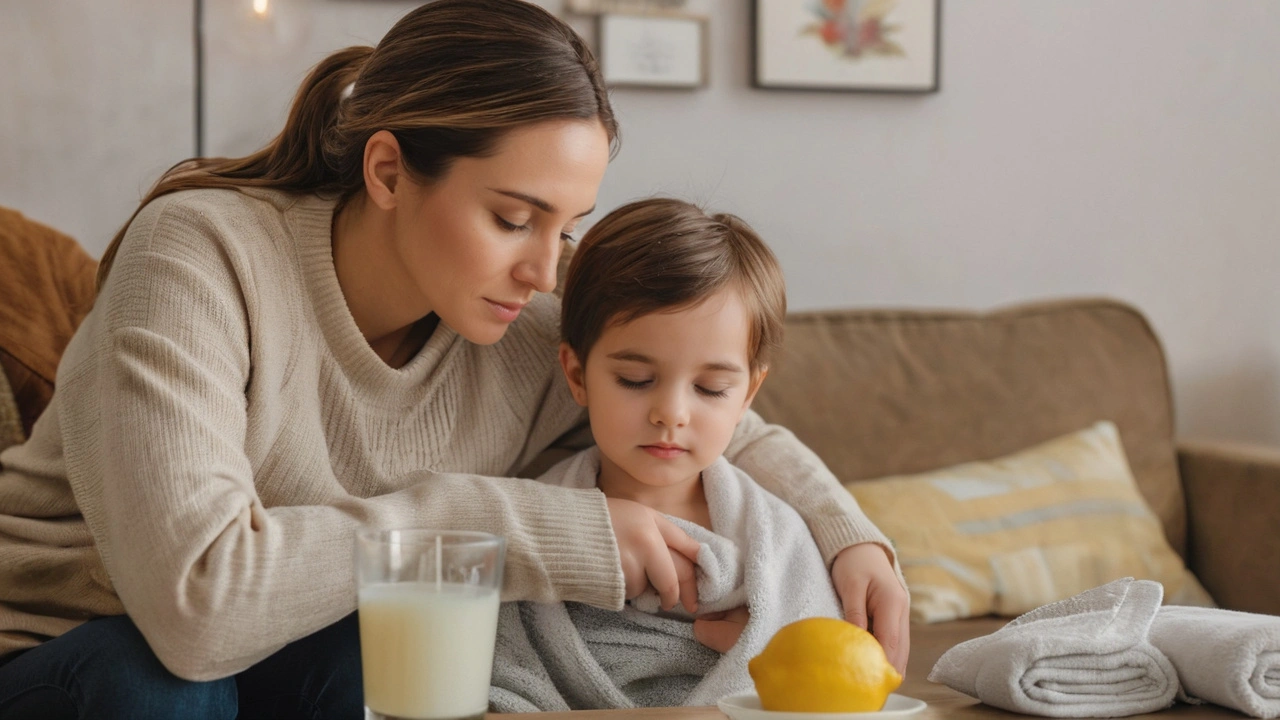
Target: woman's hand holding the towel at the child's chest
(655,553)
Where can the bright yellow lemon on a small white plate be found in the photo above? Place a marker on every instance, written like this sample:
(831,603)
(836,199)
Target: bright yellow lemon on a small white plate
(824,666)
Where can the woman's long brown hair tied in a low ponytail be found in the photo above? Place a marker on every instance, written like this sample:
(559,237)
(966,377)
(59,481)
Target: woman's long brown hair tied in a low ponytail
(449,81)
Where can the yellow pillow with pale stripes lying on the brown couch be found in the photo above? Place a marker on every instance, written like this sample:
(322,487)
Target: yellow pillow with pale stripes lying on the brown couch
(1008,536)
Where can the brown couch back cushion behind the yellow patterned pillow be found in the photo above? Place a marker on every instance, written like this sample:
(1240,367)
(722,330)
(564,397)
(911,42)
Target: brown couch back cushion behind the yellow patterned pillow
(889,393)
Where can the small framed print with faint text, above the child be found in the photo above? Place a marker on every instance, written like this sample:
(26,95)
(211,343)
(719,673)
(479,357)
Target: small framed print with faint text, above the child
(653,51)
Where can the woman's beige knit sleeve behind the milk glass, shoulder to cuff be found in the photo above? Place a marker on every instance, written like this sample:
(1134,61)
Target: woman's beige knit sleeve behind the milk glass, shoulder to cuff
(156,430)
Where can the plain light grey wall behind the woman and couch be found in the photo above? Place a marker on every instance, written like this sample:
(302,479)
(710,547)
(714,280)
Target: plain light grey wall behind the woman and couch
(1077,148)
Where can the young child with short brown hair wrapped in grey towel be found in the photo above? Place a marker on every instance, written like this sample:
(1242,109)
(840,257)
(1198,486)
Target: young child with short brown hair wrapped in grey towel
(668,323)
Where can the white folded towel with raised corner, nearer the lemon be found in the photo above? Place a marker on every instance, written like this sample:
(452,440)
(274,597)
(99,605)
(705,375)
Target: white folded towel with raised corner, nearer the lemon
(1086,657)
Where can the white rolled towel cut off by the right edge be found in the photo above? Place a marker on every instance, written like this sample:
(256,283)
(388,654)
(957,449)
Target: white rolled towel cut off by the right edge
(1223,657)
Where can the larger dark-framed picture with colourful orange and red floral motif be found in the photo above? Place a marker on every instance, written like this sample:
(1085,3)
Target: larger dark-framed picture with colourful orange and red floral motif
(854,45)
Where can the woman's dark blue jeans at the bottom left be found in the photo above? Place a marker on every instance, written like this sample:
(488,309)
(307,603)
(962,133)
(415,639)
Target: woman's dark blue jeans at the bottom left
(104,669)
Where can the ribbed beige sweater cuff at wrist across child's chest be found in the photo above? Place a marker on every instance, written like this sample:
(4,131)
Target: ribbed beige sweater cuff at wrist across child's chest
(579,552)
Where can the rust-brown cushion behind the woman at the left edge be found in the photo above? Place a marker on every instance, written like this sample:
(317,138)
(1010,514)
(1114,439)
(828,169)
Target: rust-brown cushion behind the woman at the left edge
(49,288)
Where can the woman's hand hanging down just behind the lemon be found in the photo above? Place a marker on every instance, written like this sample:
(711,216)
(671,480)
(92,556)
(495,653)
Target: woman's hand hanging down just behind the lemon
(874,599)
